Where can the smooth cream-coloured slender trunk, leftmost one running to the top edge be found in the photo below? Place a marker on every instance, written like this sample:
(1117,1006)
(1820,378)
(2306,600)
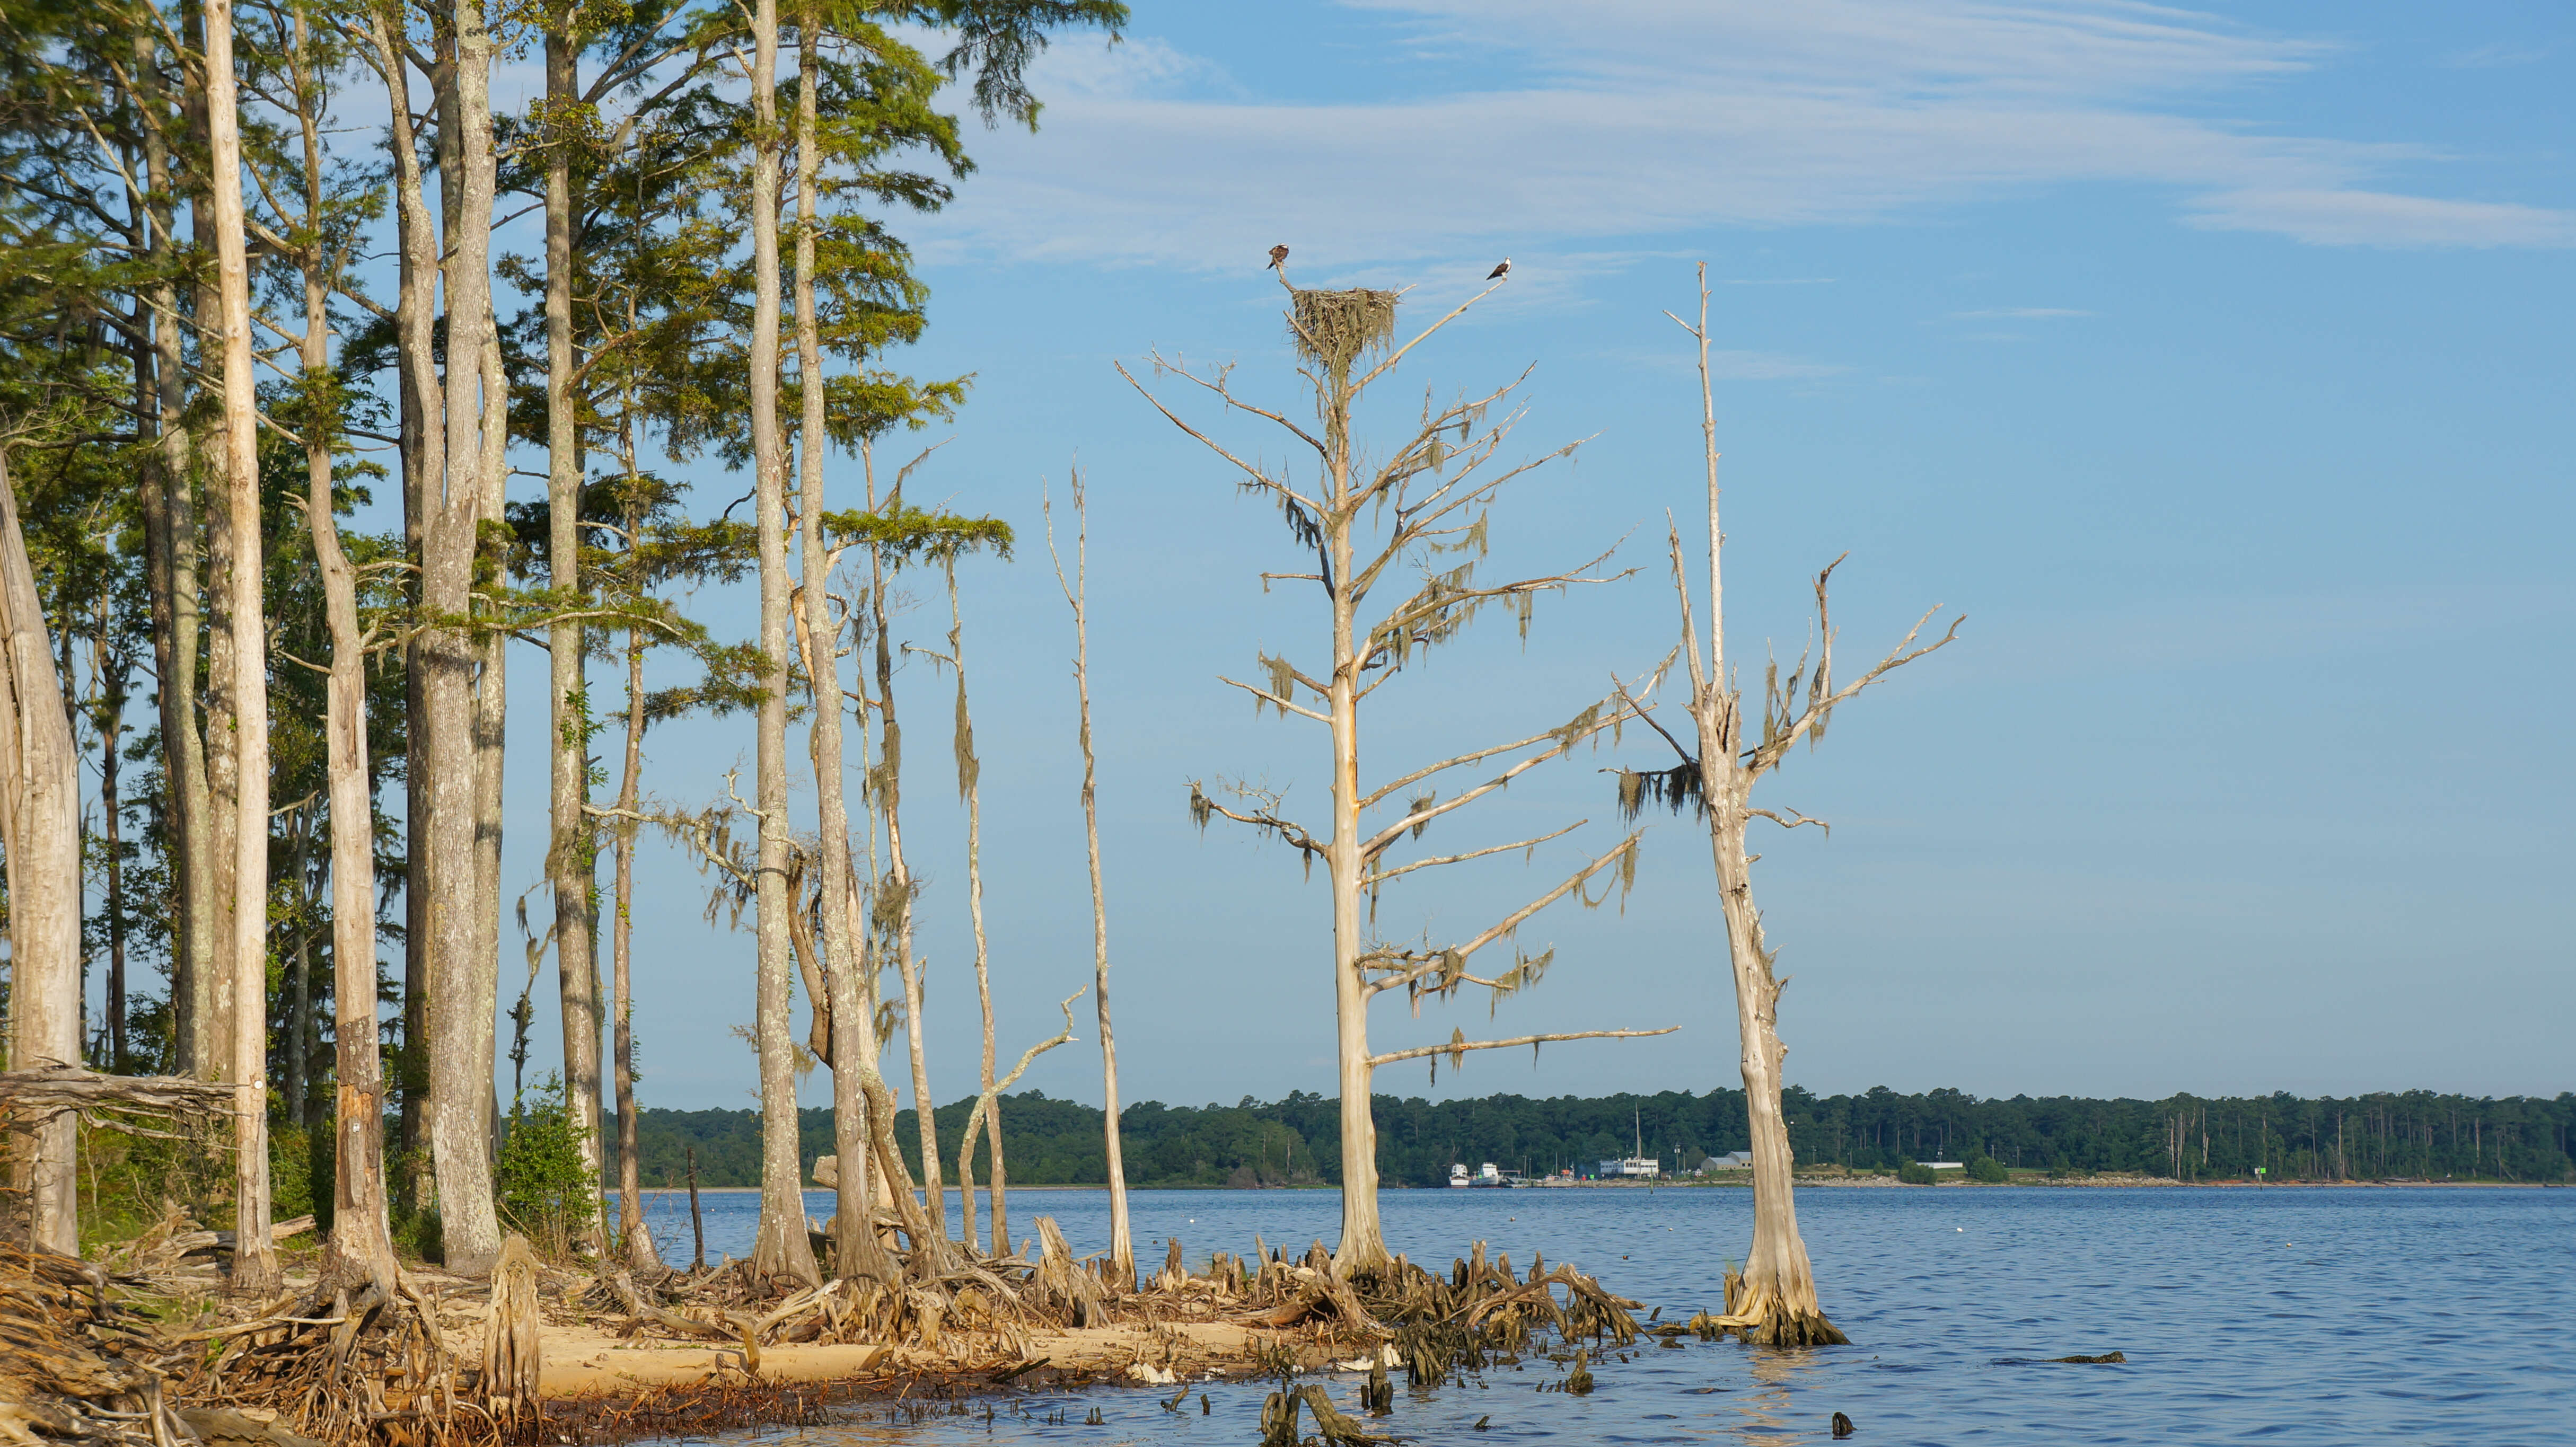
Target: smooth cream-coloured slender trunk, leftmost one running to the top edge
(254,1258)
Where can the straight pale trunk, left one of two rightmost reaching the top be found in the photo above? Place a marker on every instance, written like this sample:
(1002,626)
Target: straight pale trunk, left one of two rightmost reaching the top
(782,1245)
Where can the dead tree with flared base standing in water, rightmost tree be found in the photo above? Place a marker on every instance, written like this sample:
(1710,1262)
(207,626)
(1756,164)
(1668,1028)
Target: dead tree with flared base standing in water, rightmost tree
(1774,1302)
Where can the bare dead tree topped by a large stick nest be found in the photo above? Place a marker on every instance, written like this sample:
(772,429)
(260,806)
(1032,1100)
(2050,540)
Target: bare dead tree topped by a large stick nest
(1421,516)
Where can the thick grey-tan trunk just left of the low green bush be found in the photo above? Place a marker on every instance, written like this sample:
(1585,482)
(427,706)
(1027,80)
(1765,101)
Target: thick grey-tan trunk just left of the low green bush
(462,969)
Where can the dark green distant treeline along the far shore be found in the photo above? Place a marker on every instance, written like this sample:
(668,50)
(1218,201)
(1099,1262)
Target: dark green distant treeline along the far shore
(1297,1142)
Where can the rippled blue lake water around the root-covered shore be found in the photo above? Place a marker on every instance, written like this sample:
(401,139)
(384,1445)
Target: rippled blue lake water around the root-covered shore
(2327,1317)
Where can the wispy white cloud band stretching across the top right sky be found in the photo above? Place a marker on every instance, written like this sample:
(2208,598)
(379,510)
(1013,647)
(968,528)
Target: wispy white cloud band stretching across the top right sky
(1653,117)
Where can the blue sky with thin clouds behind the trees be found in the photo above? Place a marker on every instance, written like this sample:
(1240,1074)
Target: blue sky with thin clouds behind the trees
(2214,364)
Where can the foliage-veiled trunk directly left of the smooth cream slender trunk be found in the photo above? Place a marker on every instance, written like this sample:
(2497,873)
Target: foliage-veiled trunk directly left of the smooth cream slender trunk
(171,527)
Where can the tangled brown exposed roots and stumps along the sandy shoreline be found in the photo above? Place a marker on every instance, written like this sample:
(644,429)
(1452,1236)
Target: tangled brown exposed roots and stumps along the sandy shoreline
(442,1363)
